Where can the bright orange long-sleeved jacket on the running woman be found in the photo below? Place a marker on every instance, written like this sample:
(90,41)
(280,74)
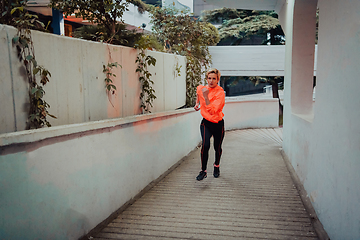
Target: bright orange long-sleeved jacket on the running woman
(213,111)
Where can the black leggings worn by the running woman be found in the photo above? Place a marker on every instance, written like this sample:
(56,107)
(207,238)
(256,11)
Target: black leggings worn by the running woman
(209,129)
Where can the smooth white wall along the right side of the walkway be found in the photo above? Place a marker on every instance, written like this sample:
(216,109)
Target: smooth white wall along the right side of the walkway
(323,146)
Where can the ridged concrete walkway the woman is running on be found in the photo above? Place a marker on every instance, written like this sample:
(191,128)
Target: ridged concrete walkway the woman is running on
(254,197)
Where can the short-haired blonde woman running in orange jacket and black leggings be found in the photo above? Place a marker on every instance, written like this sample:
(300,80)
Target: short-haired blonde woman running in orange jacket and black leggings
(211,100)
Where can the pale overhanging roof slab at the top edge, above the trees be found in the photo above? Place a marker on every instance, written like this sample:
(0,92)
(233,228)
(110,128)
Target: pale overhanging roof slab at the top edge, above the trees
(248,4)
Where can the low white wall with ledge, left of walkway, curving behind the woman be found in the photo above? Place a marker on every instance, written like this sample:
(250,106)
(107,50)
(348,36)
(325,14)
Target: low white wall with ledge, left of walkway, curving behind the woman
(60,182)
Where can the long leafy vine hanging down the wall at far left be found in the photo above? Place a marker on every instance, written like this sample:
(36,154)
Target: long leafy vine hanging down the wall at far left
(24,21)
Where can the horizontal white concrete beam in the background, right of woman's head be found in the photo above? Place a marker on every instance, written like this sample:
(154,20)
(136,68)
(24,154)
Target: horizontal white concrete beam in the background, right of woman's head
(250,60)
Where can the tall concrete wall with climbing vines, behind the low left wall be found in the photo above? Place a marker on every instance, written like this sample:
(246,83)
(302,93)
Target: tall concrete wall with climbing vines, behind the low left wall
(76,91)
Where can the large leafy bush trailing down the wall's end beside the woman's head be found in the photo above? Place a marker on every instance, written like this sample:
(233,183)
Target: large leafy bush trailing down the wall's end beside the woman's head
(186,36)
